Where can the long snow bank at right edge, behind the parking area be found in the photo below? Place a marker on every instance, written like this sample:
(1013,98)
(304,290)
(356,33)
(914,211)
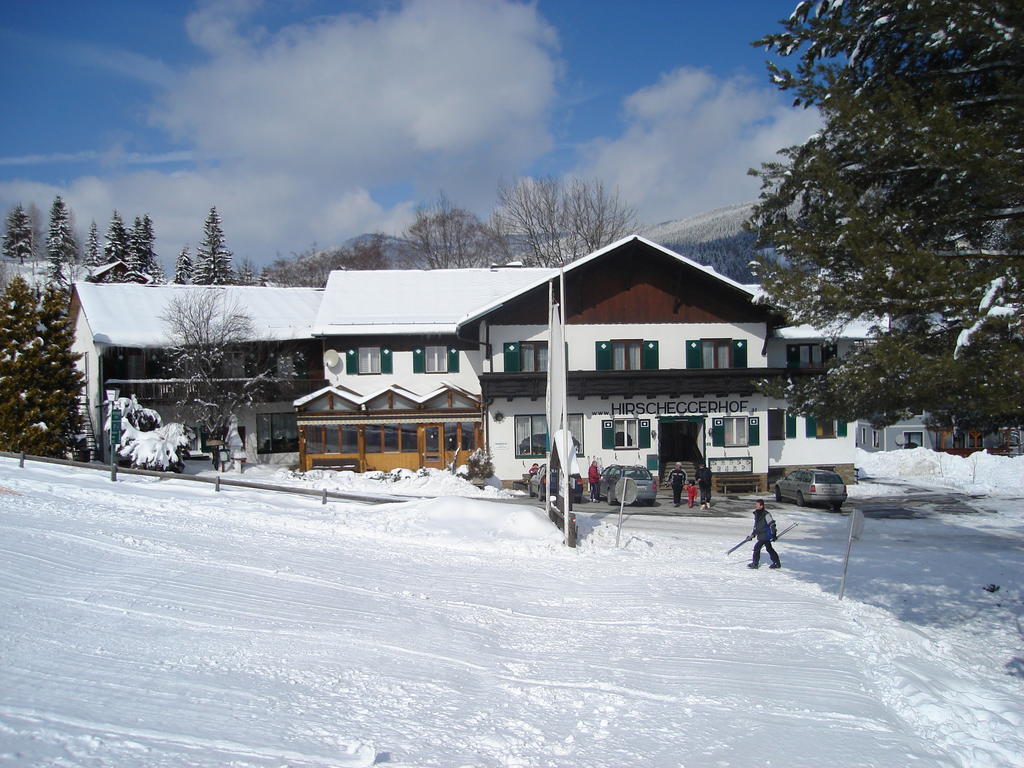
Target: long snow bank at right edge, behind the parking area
(979,474)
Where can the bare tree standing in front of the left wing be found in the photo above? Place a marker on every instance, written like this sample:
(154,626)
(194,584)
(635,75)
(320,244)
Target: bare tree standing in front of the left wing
(208,333)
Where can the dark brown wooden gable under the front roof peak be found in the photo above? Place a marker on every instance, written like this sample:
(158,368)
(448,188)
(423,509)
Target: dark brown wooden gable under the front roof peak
(638,284)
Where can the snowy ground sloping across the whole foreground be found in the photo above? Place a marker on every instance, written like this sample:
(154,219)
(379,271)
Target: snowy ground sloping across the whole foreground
(158,623)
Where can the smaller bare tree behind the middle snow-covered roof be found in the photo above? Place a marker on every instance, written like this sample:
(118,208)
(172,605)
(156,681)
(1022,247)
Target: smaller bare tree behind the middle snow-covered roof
(444,237)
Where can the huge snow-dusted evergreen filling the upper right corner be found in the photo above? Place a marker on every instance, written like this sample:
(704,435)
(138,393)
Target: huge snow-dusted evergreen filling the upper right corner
(908,208)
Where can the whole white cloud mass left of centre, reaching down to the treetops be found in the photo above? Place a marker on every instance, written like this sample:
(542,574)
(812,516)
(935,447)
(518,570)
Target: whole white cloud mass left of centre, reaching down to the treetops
(294,134)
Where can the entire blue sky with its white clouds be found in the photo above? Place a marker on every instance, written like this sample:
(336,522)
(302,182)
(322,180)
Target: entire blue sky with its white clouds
(309,122)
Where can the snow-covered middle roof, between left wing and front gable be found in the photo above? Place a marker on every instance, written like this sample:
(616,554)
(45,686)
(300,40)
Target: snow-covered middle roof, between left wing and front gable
(416,302)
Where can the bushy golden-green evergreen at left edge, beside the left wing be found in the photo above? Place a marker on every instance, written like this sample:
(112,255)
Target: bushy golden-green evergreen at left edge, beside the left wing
(39,383)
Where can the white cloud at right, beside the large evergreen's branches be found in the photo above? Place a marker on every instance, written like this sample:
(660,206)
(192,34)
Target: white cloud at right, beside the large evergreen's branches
(691,140)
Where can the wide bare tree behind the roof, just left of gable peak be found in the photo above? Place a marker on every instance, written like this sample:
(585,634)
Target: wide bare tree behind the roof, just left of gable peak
(556,223)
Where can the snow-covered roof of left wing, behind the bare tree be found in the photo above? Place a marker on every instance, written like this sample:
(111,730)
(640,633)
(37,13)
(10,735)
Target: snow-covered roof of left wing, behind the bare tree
(131,315)
